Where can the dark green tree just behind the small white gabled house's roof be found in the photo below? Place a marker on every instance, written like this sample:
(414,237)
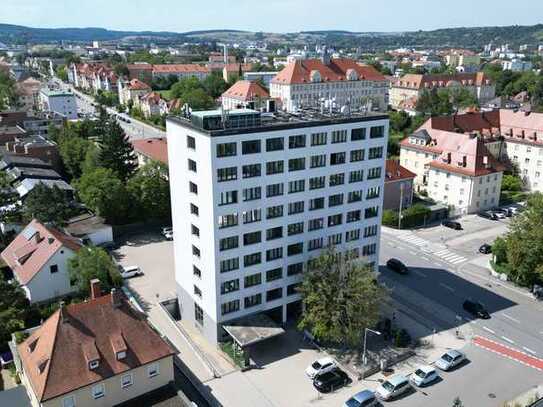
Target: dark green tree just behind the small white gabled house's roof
(48,205)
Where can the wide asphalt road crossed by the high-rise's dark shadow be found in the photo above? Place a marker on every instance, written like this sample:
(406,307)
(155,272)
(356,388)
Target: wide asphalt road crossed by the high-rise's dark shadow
(439,281)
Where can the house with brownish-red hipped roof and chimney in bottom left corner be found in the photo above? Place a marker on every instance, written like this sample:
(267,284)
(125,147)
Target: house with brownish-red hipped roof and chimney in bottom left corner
(98,353)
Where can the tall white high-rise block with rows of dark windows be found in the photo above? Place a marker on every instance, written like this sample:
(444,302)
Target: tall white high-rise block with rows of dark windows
(256,196)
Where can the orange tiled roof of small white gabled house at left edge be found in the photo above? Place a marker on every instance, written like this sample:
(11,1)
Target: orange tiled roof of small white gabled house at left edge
(33,247)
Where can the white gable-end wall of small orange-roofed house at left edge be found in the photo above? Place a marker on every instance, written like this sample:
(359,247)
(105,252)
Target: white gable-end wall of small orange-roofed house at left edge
(45,285)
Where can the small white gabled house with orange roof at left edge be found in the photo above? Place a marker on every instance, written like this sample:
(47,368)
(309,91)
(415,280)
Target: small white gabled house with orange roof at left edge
(38,257)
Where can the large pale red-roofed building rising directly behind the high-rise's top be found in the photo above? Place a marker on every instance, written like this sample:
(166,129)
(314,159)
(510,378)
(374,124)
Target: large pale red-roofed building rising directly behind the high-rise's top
(306,83)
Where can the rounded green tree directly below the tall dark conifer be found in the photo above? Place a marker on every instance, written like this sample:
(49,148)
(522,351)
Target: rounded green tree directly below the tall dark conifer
(104,193)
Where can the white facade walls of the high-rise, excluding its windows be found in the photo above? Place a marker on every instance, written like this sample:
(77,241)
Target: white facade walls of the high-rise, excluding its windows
(208,198)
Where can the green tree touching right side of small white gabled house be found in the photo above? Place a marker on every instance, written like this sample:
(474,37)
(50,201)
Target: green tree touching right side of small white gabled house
(90,263)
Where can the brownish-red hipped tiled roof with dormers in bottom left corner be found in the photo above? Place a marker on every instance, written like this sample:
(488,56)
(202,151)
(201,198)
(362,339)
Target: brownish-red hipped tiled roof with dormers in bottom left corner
(56,356)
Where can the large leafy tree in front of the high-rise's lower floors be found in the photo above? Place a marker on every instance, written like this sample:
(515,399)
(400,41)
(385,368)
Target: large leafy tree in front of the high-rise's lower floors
(341,298)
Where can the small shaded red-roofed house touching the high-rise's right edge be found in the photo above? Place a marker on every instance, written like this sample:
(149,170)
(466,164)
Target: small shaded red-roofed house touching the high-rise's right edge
(398,189)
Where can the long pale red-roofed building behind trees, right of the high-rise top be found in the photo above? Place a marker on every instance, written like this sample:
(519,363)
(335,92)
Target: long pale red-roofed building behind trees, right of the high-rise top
(409,87)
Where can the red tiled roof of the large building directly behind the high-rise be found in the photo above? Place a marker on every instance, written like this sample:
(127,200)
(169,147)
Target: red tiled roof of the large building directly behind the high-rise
(300,71)
